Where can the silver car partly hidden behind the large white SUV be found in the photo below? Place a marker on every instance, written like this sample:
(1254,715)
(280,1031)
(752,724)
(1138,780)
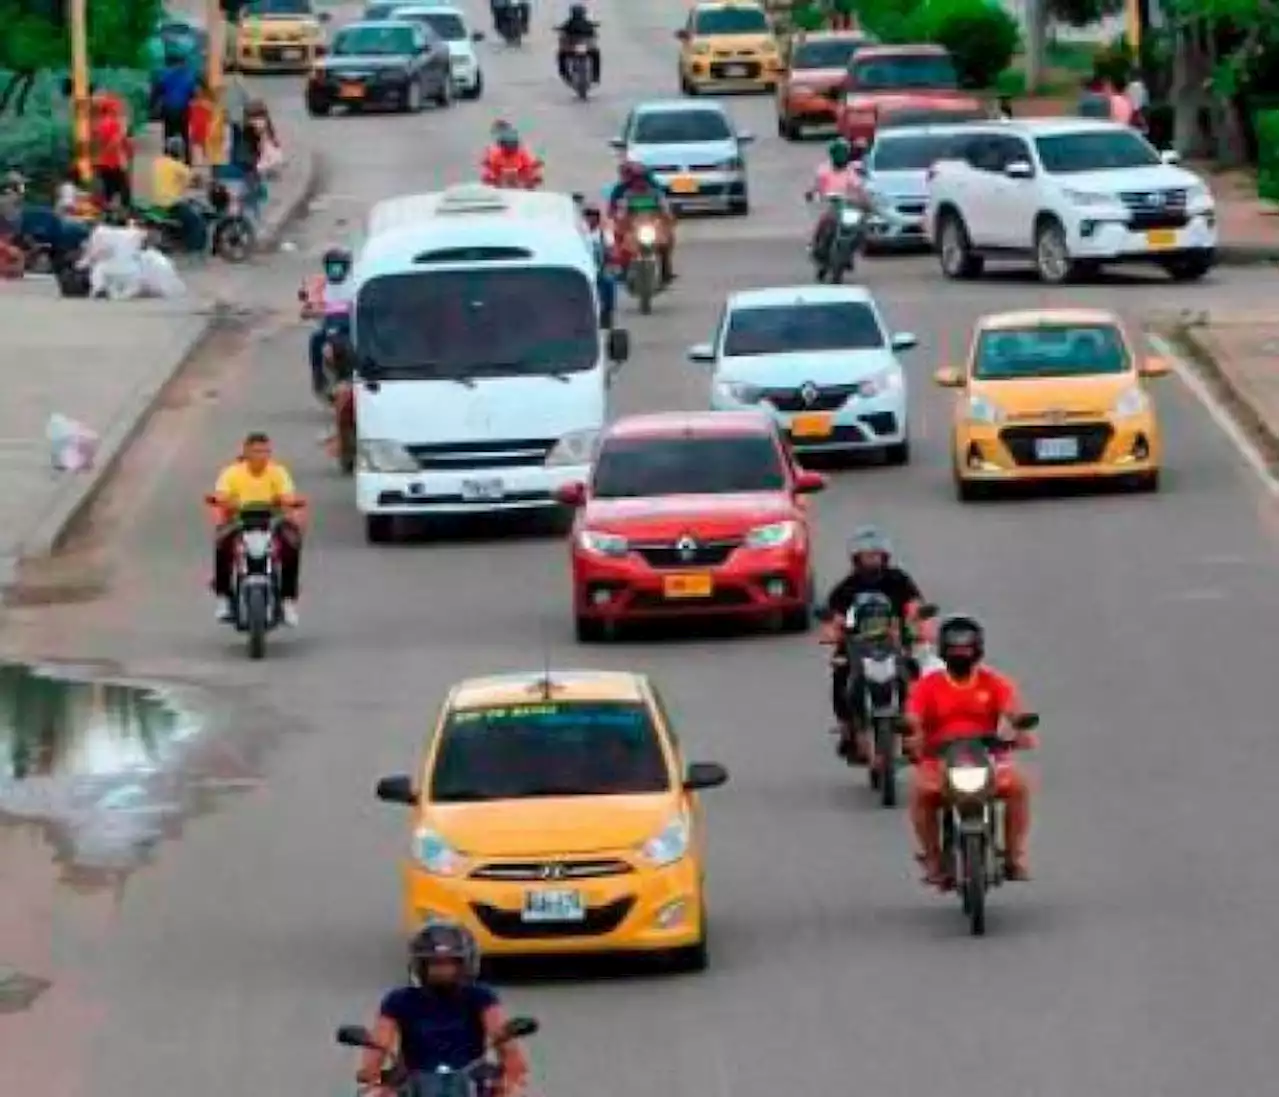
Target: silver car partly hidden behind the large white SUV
(897,168)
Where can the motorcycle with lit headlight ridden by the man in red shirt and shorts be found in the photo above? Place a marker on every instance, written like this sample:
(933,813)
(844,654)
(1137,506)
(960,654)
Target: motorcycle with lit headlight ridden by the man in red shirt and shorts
(973,817)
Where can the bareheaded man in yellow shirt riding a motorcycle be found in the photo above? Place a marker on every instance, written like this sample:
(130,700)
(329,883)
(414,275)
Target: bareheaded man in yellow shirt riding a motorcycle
(257,481)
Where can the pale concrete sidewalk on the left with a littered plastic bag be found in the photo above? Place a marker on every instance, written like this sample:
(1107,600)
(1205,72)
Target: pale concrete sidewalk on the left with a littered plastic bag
(107,365)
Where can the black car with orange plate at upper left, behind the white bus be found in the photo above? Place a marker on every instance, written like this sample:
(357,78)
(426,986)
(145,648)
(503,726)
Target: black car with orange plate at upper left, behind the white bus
(383,63)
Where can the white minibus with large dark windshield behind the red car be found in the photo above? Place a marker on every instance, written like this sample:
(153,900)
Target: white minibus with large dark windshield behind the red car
(482,368)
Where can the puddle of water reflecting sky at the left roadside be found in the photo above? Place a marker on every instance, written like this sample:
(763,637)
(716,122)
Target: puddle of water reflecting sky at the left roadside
(108,769)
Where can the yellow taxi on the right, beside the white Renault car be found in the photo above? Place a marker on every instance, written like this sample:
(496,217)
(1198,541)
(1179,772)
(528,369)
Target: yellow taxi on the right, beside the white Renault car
(1053,395)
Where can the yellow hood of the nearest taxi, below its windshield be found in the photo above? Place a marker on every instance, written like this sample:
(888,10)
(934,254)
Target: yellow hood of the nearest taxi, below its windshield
(551,826)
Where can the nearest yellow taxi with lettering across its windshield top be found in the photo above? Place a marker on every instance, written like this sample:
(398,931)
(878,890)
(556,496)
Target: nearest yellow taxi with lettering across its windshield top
(554,813)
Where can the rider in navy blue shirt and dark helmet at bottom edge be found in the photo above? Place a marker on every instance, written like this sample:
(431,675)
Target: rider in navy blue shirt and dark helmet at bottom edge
(444,1017)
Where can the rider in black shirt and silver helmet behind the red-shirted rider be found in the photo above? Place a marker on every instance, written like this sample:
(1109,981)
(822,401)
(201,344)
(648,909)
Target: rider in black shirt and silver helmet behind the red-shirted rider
(871,573)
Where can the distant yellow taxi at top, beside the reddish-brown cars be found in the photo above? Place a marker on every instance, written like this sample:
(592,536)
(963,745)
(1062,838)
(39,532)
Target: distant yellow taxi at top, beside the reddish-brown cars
(729,47)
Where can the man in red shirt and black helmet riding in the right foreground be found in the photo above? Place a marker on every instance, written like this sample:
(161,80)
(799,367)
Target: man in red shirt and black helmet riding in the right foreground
(964,698)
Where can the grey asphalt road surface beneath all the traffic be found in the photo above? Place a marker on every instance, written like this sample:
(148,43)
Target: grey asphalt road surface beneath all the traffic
(1141,962)
